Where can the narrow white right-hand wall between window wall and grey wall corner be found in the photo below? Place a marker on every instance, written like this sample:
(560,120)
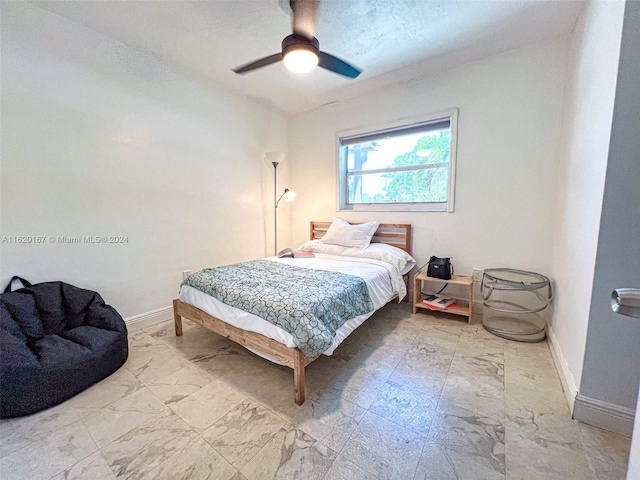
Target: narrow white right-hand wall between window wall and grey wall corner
(588,112)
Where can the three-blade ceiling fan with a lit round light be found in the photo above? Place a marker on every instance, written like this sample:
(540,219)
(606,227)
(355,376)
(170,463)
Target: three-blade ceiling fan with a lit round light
(301,50)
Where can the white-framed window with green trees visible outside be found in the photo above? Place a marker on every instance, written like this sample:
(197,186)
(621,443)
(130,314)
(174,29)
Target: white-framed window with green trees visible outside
(399,167)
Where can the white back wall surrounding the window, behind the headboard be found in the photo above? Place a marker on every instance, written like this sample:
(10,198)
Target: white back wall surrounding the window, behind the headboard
(510,111)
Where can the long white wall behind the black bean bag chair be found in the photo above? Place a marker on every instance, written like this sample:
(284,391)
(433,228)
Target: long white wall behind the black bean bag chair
(98,139)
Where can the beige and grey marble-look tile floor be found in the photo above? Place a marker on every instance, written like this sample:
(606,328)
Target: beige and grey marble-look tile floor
(421,396)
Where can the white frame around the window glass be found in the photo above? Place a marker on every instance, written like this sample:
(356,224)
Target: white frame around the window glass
(405,123)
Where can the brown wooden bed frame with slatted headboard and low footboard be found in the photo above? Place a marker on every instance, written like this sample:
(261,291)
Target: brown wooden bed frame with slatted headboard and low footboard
(398,235)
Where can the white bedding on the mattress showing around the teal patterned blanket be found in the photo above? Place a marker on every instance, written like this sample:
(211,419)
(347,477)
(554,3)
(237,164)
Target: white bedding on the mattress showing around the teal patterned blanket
(383,282)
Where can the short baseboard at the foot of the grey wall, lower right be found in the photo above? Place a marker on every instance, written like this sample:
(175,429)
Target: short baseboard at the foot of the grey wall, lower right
(604,415)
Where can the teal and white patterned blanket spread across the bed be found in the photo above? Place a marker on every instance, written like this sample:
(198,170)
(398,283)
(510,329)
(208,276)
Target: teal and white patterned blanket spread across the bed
(309,304)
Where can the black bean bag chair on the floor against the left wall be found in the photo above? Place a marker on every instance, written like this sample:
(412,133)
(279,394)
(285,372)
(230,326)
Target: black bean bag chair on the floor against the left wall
(55,341)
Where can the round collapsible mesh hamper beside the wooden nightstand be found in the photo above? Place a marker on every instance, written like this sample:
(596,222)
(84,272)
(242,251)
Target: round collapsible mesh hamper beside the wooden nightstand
(515,304)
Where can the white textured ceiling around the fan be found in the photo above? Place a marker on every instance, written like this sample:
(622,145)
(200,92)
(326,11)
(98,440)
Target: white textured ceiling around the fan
(390,40)
